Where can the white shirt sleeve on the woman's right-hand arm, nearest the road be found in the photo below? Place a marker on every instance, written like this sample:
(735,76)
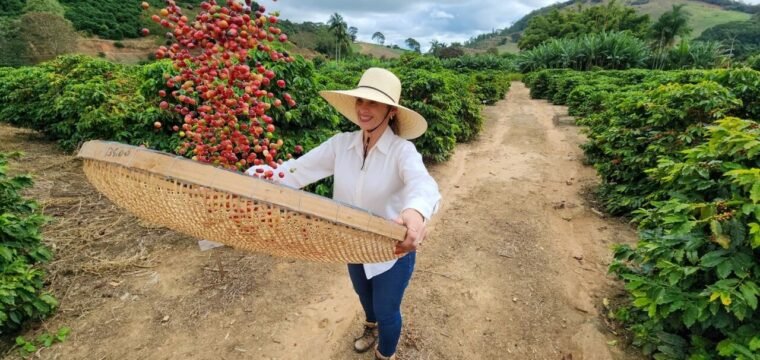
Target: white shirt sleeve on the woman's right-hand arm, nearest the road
(420,189)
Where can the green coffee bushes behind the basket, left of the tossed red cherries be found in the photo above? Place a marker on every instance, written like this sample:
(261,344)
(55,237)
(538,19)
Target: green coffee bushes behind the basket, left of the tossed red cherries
(76,98)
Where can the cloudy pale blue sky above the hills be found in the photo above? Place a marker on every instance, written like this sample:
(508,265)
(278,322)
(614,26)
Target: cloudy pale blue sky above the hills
(443,20)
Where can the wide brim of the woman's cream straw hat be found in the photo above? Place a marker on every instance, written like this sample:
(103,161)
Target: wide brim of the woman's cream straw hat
(411,125)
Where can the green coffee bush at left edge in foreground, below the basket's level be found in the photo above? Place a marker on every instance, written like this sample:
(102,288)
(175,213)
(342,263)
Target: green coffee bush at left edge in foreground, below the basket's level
(21,248)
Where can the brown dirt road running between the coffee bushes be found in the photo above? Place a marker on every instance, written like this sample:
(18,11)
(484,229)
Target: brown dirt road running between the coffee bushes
(514,267)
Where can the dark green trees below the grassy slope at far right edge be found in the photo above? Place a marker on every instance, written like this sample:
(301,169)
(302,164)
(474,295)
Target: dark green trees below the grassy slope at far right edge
(740,38)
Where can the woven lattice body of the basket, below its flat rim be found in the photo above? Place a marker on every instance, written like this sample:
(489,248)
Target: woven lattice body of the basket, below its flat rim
(241,222)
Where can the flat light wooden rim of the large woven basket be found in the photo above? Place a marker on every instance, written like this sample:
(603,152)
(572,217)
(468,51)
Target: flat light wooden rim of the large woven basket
(186,170)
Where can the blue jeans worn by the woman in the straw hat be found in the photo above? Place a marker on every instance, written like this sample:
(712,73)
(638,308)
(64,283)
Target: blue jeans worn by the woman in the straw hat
(381,299)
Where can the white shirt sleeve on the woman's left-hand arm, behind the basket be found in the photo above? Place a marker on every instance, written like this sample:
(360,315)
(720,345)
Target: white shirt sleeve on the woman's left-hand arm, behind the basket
(313,166)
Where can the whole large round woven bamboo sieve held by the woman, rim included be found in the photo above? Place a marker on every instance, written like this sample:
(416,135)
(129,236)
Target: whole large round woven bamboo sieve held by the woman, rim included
(235,209)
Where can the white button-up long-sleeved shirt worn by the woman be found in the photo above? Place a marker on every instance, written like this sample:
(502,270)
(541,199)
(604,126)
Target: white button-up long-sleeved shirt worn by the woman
(393,179)
